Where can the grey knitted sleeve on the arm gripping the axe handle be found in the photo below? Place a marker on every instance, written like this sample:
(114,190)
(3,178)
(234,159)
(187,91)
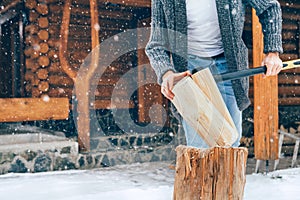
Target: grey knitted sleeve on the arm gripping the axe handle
(270,17)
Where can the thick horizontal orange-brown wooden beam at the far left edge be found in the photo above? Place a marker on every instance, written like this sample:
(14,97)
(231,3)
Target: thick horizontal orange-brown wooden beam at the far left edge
(31,109)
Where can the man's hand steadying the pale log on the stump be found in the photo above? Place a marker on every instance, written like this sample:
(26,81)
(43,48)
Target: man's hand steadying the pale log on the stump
(169,79)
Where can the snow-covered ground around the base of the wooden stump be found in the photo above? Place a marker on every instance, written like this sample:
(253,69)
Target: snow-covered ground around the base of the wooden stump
(133,182)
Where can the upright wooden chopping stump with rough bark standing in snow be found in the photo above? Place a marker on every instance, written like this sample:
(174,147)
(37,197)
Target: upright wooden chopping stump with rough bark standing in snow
(217,173)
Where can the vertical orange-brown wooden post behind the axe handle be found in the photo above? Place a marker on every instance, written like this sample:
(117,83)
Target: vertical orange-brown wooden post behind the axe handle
(265,104)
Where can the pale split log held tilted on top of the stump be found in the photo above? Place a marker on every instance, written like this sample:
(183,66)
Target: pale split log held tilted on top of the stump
(200,112)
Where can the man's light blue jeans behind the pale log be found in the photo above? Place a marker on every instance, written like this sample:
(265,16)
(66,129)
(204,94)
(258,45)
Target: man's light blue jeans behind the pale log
(216,66)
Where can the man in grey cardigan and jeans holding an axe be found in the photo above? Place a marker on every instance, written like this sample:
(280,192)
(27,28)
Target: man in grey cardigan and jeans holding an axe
(187,34)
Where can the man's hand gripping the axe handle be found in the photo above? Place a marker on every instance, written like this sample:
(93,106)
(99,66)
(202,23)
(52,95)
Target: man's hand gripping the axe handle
(273,64)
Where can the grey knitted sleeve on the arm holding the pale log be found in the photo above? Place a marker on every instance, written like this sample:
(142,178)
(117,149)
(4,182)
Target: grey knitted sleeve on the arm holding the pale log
(157,48)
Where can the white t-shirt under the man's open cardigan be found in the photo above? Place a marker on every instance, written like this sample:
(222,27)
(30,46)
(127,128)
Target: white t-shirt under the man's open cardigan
(204,37)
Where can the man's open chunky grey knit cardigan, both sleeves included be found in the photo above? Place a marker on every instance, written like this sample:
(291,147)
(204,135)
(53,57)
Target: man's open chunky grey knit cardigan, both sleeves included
(167,47)
